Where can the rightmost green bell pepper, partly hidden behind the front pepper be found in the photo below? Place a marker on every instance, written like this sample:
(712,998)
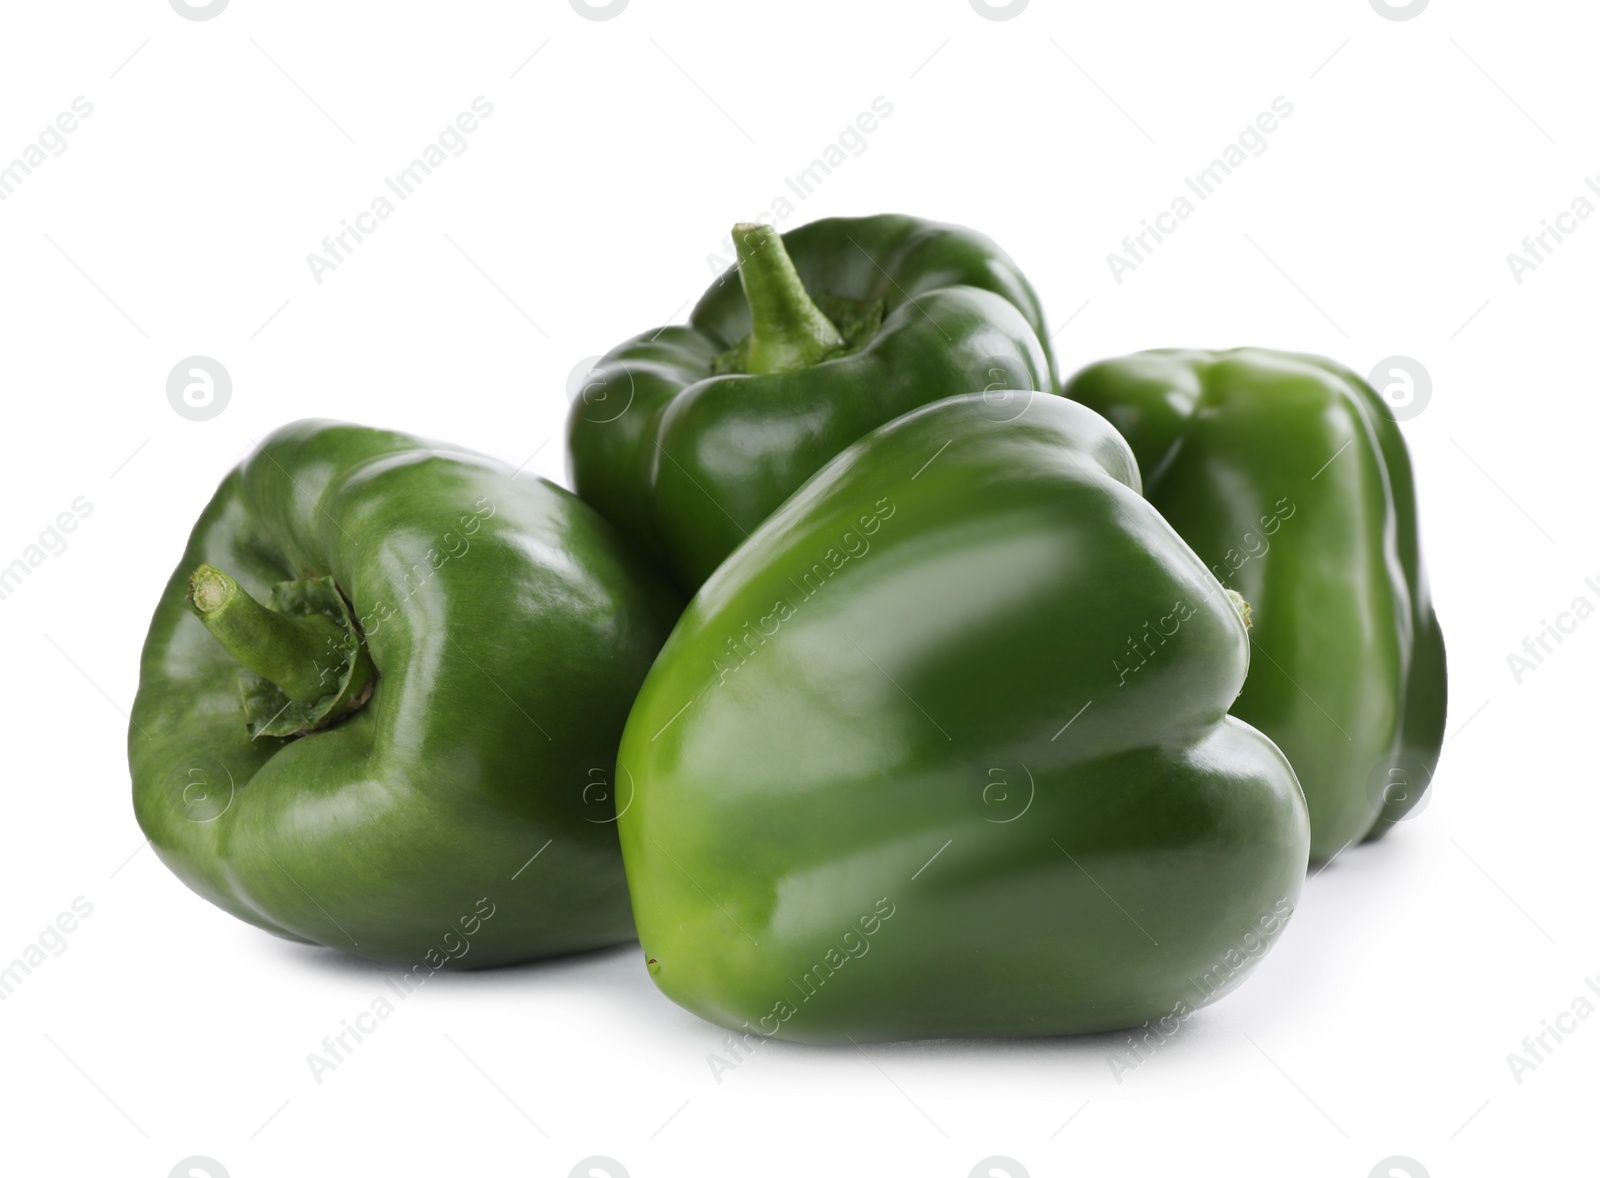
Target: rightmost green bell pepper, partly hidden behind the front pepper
(1292,481)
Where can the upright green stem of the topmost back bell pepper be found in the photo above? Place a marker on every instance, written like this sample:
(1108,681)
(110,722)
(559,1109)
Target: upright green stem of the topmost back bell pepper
(788,331)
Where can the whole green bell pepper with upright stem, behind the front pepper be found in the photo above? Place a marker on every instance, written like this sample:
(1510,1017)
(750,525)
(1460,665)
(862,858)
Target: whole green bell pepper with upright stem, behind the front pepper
(687,438)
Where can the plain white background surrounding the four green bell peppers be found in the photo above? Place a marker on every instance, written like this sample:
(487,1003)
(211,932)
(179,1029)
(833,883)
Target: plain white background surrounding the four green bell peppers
(1378,222)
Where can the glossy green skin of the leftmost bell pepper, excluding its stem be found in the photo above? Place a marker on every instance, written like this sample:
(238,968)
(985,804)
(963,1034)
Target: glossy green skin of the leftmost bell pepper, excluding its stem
(463,815)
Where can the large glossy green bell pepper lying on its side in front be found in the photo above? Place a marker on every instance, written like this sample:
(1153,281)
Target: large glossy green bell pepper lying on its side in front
(890,779)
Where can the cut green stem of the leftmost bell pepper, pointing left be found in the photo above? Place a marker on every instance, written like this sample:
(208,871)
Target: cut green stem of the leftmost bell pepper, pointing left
(302,655)
